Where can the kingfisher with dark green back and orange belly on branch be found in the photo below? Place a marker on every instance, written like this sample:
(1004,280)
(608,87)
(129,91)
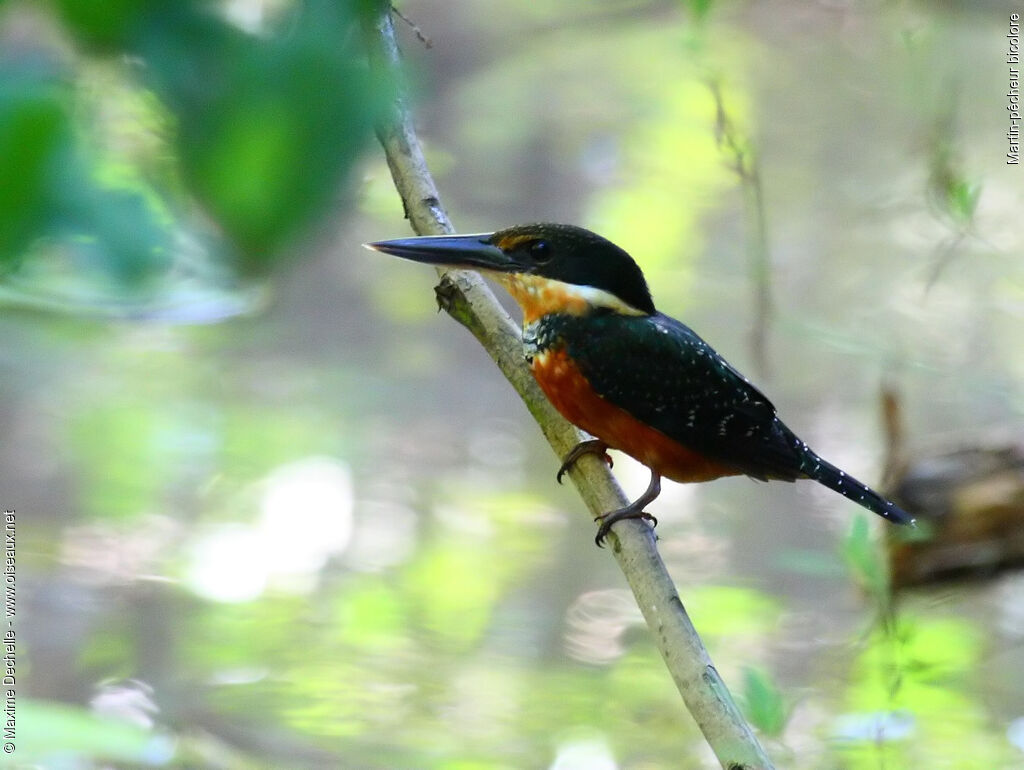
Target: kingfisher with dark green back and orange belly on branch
(633,378)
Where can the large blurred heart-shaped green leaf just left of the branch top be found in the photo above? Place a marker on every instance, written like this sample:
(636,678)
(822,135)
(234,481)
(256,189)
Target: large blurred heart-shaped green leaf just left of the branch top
(269,138)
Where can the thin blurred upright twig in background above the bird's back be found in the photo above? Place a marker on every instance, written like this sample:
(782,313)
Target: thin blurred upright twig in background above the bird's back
(742,158)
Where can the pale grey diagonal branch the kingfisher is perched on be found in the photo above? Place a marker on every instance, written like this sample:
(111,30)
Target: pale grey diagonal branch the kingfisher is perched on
(466,298)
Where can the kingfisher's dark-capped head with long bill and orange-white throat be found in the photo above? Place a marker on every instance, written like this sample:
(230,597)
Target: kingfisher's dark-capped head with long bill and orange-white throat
(546,268)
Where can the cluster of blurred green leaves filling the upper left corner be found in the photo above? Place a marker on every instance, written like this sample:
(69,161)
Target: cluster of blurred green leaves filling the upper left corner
(174,131)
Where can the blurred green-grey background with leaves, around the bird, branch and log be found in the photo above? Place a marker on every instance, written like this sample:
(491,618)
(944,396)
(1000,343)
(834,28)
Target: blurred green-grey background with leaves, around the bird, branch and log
(274,511)
